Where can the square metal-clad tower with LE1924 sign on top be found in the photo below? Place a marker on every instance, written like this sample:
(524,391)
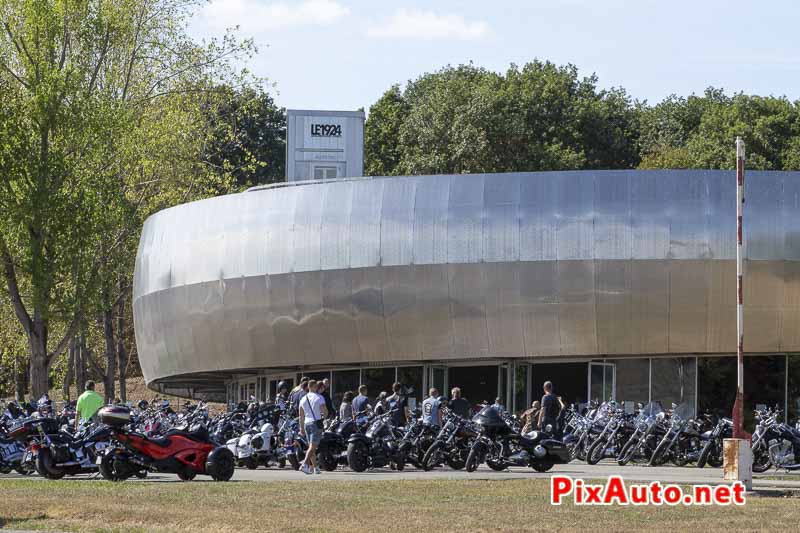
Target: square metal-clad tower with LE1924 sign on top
(324,144)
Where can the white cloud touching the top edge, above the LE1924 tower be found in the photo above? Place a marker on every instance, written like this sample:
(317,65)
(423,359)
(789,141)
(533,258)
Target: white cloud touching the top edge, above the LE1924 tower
(254,16)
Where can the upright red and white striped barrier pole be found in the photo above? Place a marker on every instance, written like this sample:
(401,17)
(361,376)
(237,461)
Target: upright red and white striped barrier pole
(738,406)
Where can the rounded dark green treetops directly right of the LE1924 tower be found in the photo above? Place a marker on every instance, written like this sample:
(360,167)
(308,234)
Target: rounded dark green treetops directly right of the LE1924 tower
(469,119)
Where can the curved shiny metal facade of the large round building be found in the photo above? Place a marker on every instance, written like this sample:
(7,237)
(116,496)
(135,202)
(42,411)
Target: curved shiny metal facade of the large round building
(465,266)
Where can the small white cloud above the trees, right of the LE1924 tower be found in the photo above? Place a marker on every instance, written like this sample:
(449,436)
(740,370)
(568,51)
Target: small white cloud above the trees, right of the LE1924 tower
(416,24)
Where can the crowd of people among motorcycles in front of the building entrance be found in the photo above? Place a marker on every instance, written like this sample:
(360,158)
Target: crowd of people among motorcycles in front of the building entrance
(311,402)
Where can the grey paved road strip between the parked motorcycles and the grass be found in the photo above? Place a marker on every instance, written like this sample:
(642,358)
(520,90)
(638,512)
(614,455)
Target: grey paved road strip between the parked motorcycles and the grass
(669,474)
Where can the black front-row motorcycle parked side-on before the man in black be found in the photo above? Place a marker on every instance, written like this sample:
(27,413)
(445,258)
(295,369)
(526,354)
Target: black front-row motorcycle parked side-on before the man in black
(499,446)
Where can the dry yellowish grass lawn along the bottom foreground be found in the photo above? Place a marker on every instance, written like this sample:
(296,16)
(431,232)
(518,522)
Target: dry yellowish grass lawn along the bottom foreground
(364,506)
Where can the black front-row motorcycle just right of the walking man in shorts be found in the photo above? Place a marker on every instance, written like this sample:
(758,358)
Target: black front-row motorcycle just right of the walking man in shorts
(378,446)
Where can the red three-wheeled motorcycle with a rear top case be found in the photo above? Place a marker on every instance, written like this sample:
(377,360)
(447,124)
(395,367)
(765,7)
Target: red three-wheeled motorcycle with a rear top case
(177,452)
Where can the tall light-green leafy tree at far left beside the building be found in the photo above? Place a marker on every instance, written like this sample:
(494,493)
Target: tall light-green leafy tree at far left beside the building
(82,82)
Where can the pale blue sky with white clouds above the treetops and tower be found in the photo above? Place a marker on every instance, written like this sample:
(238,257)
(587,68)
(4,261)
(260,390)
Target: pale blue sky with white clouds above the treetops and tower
(342,54)
